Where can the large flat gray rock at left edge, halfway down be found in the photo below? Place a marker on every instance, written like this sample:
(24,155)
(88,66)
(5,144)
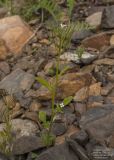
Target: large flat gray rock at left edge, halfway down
(17,81)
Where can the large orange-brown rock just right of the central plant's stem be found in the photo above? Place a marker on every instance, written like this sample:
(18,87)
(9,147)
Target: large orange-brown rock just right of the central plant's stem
(72,82)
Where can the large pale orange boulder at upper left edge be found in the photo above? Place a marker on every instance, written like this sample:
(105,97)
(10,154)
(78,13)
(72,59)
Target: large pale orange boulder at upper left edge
(15,34)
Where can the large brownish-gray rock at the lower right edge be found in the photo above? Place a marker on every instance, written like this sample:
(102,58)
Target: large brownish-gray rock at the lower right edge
(99,122)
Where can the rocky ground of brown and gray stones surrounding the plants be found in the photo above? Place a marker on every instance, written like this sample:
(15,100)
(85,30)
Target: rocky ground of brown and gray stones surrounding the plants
(86,129)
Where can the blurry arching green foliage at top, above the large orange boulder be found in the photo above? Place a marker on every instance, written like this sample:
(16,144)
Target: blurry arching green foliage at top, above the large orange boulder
(50,6)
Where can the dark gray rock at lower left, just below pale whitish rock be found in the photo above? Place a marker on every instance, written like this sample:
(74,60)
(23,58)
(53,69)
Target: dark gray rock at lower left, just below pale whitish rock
(27,144)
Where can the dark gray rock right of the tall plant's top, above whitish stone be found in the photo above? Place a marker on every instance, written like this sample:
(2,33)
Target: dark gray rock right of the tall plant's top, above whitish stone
(78,36)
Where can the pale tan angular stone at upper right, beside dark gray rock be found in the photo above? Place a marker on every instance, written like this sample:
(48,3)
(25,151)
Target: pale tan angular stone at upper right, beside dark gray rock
(94,19)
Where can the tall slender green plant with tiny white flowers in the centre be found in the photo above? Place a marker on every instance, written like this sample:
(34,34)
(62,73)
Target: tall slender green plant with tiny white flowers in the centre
(62,40)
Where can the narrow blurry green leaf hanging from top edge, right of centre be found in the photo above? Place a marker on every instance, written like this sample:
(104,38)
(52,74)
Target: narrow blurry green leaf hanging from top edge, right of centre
(70,5)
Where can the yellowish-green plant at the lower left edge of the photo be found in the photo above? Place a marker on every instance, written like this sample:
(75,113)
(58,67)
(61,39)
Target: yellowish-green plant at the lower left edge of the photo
(6,137)
